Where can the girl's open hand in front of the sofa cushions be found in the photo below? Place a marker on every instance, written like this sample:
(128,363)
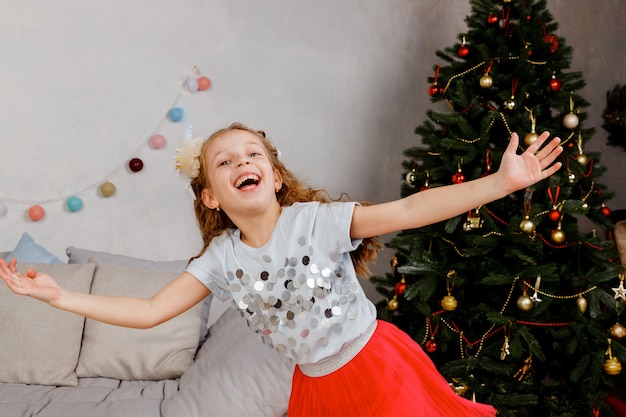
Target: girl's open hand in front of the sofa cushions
(33,284)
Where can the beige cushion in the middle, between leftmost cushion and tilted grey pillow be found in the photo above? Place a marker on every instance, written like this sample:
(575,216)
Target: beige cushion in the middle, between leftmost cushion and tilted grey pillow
(163,352)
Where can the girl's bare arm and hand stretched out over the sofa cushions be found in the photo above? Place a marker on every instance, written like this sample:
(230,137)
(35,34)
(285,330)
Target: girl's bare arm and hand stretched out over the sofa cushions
(175,298)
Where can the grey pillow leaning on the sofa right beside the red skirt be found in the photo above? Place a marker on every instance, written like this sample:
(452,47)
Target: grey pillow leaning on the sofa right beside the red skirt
(234,375)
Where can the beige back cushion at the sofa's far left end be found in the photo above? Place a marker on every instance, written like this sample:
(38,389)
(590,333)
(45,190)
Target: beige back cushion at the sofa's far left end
(39,344)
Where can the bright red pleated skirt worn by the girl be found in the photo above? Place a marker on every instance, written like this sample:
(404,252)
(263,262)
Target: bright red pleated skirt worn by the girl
(390,377)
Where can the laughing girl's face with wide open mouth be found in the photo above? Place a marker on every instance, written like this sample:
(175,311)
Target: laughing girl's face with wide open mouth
(240,174)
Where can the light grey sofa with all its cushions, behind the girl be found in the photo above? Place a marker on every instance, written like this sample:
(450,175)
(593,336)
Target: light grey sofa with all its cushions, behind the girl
(205,362)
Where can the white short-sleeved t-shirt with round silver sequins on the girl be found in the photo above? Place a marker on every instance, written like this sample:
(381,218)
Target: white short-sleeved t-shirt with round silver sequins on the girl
(299,291)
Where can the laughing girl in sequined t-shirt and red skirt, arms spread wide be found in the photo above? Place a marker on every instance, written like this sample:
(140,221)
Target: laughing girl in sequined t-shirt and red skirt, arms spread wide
(288,258)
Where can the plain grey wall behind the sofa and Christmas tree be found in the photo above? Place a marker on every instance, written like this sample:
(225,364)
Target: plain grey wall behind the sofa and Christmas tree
(339,86)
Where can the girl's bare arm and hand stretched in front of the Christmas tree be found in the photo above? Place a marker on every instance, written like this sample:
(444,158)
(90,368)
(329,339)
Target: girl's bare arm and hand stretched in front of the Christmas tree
(441,203)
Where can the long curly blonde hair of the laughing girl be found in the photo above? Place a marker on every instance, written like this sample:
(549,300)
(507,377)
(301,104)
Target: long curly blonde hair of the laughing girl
(213,223)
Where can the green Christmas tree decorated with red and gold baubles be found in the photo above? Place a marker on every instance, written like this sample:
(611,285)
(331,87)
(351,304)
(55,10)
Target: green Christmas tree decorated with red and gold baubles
(517,306)
